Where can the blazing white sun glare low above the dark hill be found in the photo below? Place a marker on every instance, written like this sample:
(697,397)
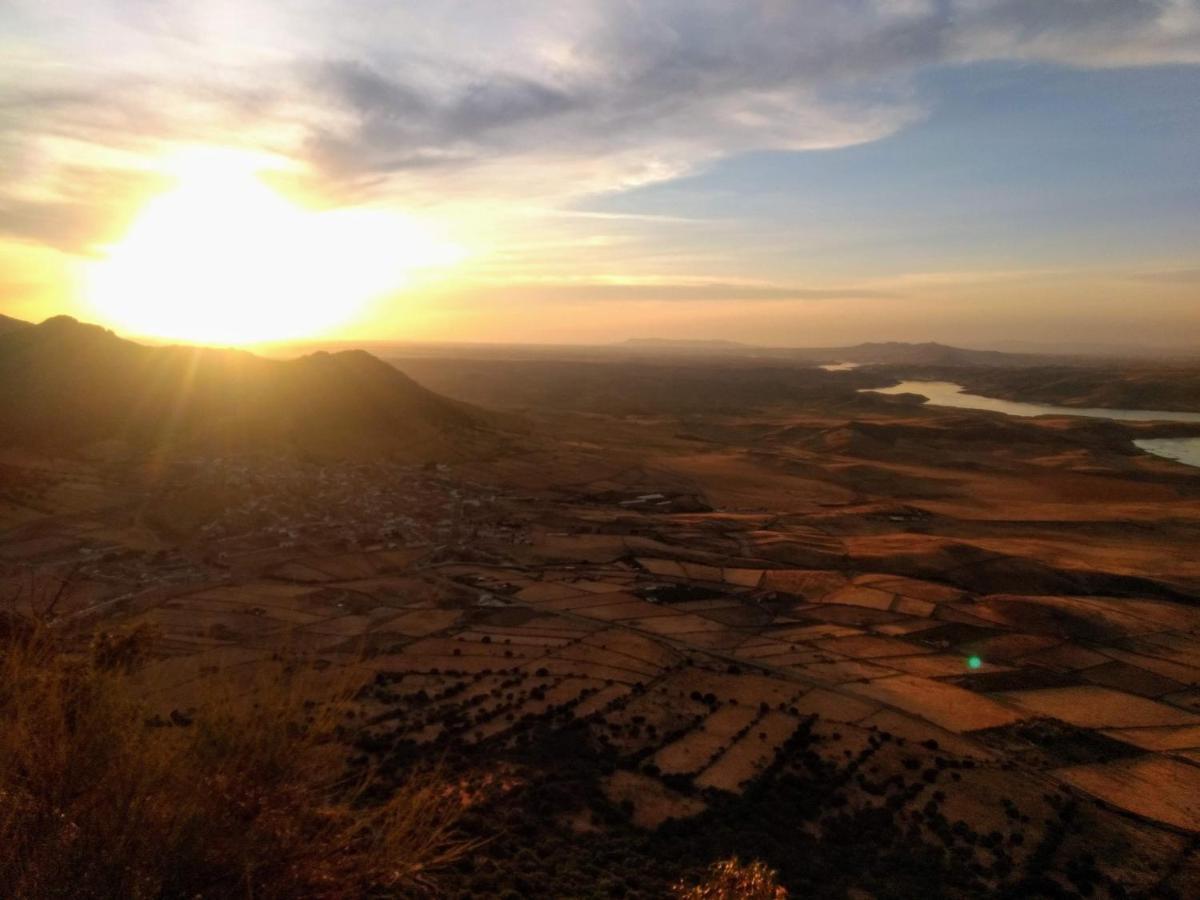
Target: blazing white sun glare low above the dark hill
(224,259)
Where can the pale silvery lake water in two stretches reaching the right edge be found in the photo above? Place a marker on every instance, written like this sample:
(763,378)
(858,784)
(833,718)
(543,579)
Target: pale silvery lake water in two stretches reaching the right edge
(947,394)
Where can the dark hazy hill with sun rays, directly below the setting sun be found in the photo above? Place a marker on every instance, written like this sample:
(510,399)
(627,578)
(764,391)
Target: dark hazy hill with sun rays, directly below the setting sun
(71,385)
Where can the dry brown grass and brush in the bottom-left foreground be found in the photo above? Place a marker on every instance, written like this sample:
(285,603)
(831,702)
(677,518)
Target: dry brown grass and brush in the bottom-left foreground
(250,797)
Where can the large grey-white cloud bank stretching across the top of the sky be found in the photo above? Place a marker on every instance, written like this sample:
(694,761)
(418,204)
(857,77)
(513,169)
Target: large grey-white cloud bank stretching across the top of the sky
(439,101)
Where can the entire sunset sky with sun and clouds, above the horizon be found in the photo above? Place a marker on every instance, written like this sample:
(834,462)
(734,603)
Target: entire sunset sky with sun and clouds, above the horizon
(975,172)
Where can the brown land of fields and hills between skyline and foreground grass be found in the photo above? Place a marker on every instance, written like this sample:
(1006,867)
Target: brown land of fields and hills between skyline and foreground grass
(659,610)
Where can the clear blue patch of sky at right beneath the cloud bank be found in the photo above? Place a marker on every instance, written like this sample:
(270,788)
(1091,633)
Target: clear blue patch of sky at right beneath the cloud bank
(1016,165)
